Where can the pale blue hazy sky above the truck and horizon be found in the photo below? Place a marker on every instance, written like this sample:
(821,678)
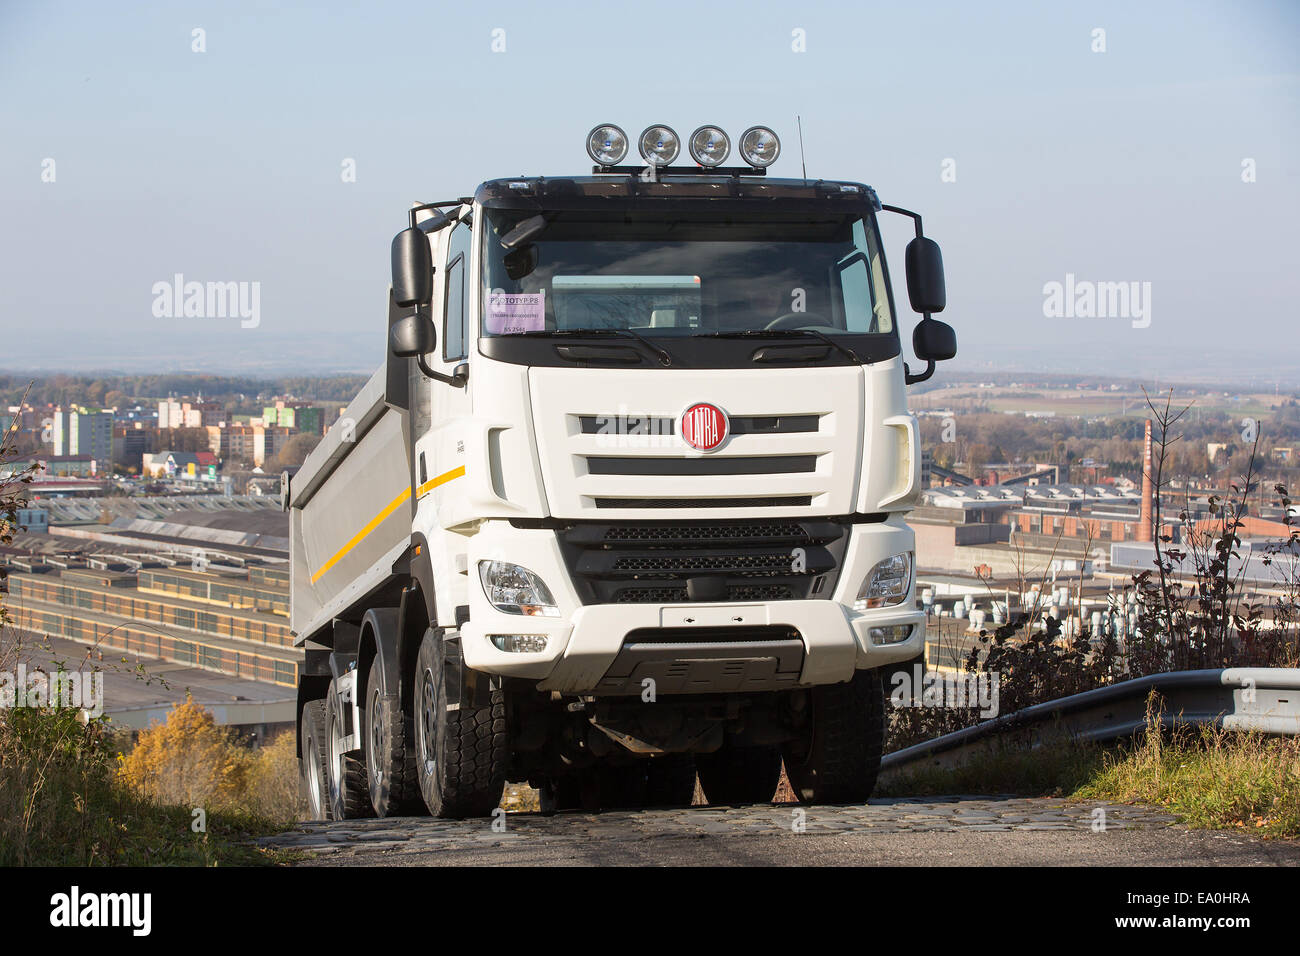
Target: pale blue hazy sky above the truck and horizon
(226,166)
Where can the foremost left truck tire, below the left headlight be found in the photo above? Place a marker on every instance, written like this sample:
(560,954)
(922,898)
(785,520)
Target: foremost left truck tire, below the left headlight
(461,754)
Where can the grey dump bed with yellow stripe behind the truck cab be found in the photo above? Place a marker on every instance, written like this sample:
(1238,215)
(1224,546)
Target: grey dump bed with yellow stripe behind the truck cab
(349,512)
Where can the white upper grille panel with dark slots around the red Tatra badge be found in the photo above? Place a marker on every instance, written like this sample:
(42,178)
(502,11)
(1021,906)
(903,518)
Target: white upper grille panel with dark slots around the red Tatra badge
(612,448)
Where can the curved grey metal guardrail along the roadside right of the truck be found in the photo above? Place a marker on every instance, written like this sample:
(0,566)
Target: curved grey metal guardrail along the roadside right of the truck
(1247,699)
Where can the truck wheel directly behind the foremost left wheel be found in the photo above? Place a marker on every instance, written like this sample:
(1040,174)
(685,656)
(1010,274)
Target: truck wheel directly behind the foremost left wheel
(391,765)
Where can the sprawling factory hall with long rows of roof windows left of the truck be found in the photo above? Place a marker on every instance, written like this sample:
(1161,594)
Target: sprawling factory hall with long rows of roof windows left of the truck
(206,590)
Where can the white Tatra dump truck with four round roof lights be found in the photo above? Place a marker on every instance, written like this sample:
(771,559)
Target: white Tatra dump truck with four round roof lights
(627,503)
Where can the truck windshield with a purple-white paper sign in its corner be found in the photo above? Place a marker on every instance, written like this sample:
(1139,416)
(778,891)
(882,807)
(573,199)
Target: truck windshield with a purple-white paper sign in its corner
(677,278)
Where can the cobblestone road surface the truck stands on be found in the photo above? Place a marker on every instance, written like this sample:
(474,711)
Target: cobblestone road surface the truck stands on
(963,830)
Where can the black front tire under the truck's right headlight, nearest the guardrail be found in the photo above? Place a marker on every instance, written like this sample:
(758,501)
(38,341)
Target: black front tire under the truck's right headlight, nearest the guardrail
(840,762)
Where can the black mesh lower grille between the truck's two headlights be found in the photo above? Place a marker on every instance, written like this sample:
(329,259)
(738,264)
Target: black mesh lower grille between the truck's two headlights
(679,563)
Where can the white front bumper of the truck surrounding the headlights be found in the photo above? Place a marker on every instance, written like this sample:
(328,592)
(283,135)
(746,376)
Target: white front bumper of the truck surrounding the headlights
(587,641)
